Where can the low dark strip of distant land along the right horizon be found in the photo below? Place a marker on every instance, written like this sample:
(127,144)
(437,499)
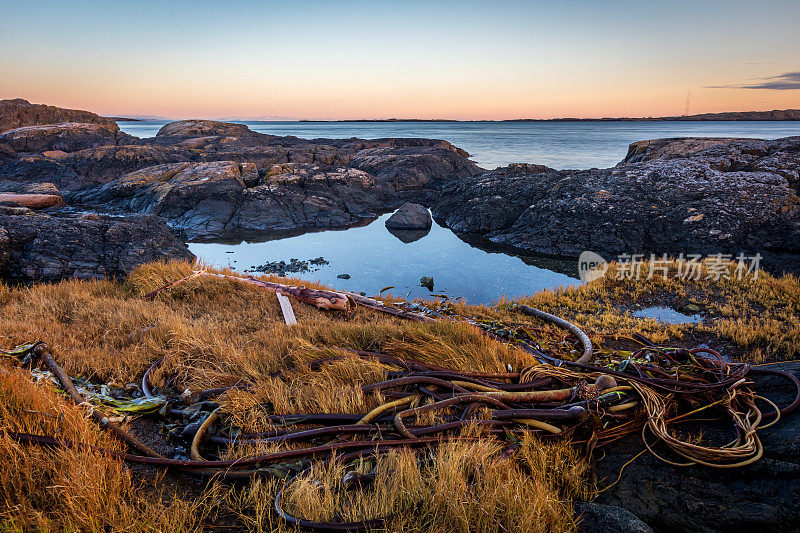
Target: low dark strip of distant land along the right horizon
(774,115)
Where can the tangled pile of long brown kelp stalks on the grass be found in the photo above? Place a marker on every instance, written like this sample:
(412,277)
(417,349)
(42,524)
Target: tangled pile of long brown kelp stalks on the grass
(417,409)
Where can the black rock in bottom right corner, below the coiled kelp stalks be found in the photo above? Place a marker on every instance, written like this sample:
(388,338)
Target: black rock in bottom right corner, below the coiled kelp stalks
(755,498)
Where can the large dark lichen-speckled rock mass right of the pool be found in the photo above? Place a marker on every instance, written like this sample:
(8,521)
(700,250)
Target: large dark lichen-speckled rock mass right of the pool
(710,197)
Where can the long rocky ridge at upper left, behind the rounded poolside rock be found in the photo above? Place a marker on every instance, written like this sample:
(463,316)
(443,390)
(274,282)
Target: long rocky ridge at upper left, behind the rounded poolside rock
(79,155)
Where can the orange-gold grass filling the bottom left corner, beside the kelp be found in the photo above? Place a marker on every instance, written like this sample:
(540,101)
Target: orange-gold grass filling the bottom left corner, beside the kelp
(71,489)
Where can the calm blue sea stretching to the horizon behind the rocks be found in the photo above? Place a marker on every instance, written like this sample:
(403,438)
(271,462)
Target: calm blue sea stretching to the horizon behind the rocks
(561,145)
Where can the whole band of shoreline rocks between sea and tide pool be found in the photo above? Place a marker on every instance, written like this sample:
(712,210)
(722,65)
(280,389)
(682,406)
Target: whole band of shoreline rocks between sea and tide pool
(682,195)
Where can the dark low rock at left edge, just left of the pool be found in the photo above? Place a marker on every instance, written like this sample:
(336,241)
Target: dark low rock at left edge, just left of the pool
(39,247)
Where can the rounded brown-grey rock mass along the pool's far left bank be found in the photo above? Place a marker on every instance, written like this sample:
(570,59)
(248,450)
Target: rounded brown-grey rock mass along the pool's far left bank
(208,198)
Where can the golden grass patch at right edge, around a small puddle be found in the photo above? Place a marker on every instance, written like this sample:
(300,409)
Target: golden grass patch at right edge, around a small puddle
(759,317)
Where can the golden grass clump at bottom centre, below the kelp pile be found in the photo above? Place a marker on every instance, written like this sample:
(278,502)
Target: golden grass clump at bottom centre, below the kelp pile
(462,486)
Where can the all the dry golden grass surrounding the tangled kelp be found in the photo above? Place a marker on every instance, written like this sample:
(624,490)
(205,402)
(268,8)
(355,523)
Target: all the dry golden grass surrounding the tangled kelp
(214,332)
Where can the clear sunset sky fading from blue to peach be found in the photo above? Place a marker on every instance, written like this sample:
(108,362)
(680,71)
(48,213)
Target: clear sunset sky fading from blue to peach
(382,59)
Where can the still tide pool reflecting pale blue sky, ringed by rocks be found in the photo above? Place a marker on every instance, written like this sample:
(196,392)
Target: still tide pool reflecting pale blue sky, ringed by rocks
(375,258)
